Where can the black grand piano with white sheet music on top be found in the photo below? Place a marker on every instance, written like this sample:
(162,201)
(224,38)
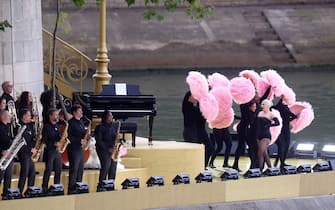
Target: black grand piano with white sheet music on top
(123,100)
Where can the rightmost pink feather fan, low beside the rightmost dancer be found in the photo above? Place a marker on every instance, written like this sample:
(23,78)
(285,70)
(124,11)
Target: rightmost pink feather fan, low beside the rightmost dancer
(305,114)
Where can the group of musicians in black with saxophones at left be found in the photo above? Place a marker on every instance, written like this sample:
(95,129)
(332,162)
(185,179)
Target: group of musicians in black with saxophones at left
(52,136)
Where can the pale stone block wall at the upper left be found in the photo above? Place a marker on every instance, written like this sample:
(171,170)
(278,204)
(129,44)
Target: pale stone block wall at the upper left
(21,59)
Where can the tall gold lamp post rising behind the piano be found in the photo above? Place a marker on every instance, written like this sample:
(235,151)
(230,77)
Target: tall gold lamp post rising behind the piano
(101,75)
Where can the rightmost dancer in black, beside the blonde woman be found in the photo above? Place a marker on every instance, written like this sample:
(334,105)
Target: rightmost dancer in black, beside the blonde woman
(284,139)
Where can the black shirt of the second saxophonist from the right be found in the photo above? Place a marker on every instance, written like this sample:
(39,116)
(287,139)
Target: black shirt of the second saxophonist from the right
(76,133)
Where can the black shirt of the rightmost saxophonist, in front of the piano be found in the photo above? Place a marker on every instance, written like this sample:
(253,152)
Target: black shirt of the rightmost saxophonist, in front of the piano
(105,134)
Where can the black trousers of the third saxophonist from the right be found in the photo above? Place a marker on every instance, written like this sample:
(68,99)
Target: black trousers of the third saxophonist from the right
(53,162)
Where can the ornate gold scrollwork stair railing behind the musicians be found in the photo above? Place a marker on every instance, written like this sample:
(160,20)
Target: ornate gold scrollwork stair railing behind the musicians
(72,66)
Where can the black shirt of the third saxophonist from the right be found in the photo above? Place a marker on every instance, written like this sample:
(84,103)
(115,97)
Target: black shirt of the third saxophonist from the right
(50,135)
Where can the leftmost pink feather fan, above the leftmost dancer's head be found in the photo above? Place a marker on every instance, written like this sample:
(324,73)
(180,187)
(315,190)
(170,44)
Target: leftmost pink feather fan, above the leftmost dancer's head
(198,84)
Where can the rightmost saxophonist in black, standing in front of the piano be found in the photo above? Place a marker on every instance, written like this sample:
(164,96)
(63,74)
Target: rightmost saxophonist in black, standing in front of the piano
(105,135)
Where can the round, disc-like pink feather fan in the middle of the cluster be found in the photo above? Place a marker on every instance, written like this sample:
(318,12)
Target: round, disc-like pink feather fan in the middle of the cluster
(242,90)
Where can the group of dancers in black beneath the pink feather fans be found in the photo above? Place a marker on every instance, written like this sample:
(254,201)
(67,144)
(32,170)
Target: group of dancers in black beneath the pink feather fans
(253,130)
